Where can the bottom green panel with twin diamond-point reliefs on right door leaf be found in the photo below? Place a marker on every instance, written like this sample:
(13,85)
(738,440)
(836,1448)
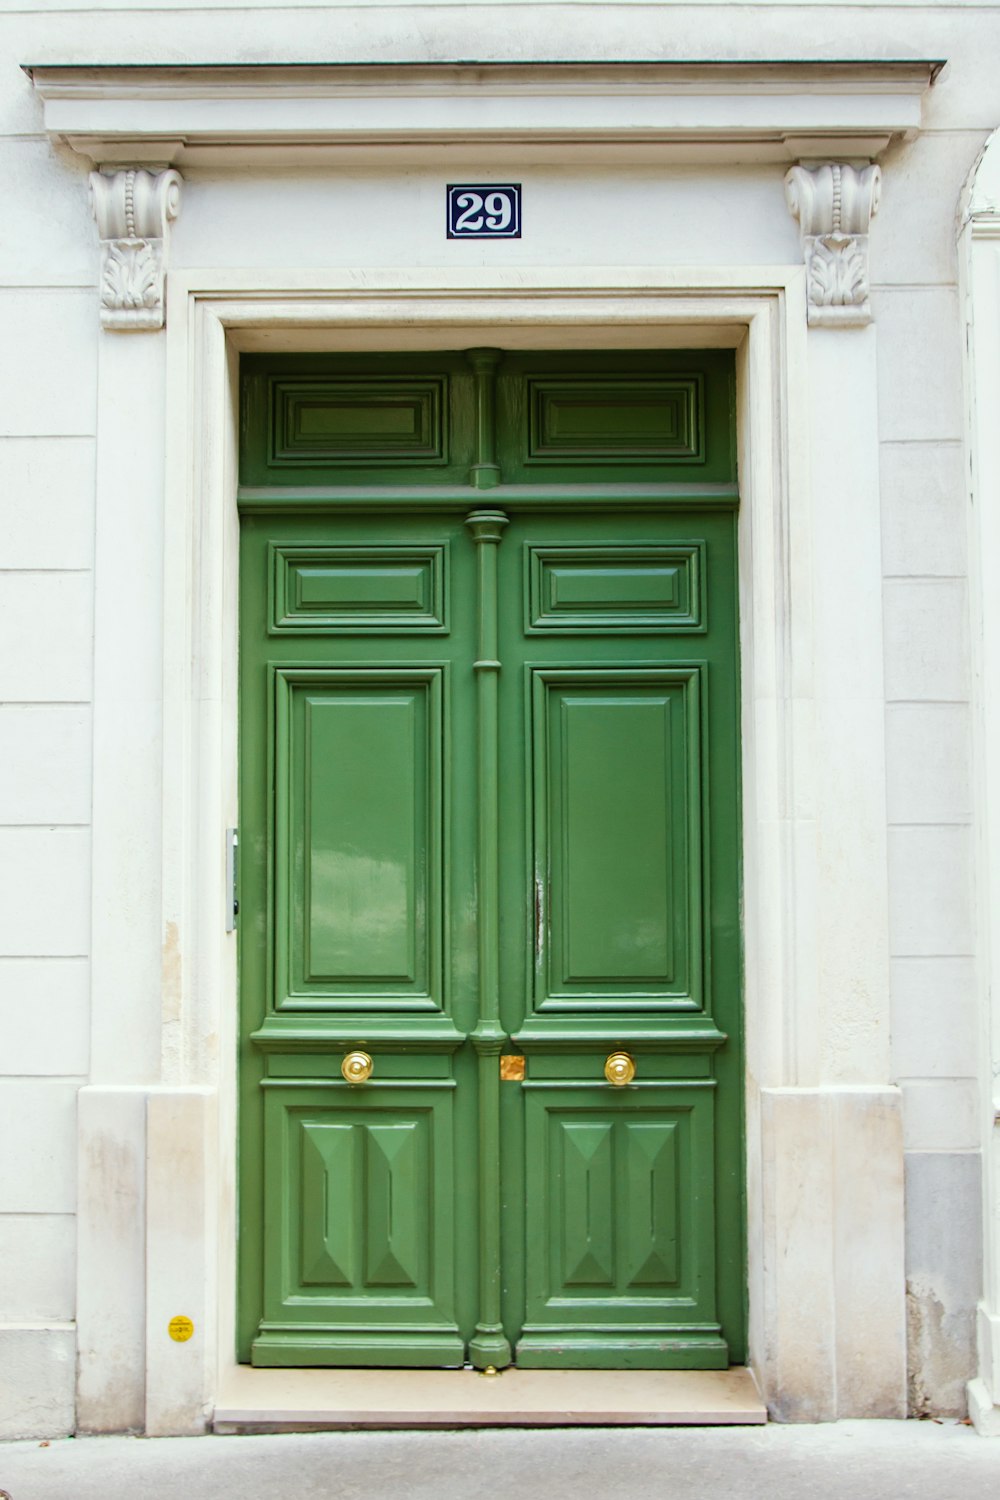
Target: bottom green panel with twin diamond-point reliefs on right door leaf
(620,1267)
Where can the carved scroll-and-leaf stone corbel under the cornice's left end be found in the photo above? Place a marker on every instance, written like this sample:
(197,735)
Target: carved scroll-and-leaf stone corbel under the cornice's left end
(134,211)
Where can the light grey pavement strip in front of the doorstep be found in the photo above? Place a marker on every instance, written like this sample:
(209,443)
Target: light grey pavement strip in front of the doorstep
(857,1460)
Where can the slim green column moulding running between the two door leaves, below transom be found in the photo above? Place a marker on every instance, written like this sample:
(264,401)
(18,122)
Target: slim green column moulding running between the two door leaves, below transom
(490,1345)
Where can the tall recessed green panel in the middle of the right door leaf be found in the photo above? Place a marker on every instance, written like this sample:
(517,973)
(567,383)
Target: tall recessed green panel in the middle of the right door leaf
(617,857)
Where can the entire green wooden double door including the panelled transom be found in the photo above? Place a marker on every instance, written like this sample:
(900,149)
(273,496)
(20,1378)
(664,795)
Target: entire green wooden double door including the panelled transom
(490,890)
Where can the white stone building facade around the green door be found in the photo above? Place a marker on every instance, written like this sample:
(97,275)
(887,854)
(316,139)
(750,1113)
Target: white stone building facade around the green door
(305,212)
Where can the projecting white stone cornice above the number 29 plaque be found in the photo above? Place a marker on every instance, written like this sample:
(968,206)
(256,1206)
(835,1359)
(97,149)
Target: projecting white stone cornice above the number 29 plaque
(687,112)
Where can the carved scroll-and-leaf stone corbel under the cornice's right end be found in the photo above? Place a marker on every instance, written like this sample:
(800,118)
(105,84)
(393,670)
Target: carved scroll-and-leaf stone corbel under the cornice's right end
(834,206)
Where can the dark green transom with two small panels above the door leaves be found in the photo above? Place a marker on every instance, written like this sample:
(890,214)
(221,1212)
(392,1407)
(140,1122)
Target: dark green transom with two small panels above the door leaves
(487,419)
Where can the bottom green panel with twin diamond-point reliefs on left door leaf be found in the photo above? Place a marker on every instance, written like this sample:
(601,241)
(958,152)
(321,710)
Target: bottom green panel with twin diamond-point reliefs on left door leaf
(359,1186)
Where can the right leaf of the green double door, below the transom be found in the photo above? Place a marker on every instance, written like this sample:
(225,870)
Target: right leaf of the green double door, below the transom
(620,817)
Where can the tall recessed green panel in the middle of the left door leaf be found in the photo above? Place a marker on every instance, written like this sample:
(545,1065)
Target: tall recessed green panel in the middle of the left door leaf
(359,826)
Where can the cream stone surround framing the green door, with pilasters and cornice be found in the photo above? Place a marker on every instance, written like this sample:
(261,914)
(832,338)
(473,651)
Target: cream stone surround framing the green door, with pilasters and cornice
(824,1127)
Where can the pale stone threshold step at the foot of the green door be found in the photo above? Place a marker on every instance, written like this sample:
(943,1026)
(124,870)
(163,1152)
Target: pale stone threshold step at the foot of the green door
(323,1400)
